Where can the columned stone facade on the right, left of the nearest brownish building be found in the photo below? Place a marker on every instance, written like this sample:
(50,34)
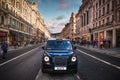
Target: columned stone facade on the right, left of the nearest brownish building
(84,21)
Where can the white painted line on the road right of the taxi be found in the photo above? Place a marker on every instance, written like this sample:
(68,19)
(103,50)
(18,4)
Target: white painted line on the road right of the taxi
(99,59)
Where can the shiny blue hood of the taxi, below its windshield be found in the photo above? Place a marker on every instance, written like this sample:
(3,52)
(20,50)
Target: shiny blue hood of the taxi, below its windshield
(54,53)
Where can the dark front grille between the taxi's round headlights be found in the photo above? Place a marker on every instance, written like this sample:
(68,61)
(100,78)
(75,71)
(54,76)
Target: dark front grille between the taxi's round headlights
(60,61)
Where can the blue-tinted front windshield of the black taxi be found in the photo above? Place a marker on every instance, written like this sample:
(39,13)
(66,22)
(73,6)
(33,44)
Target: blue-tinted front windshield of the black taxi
(59,45)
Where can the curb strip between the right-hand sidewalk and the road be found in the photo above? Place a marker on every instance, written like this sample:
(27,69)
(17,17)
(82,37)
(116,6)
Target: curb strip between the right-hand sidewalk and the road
(102,52)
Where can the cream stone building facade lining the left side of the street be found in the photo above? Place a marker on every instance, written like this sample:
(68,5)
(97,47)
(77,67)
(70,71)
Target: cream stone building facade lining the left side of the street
(20,21)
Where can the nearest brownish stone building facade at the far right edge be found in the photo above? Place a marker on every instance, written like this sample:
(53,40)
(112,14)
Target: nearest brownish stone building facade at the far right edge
(106,21)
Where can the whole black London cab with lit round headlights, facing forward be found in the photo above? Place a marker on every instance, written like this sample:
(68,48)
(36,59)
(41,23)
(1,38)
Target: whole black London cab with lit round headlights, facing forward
(59,56)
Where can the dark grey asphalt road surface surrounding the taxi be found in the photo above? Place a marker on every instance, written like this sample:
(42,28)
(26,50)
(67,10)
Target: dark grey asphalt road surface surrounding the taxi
(25,64)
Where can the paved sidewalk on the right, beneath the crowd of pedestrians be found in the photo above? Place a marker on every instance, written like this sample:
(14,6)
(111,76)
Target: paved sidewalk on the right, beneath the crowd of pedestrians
(109,51)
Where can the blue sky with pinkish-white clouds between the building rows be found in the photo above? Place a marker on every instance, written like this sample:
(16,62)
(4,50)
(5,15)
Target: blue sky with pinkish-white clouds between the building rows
(56,13)
